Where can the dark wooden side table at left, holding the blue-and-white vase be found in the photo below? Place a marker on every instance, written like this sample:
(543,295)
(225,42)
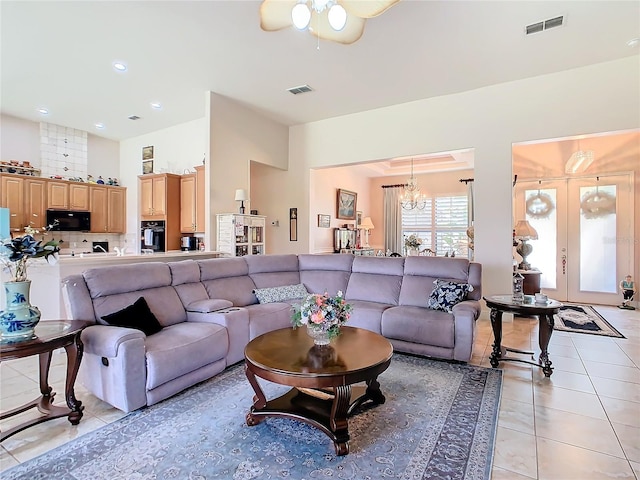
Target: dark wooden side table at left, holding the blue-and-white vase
(49,335)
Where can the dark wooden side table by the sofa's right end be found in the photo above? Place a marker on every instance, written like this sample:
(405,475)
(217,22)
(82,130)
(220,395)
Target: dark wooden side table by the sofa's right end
(545,312)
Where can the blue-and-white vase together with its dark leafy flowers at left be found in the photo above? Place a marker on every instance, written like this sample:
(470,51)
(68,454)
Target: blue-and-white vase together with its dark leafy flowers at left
(19,317)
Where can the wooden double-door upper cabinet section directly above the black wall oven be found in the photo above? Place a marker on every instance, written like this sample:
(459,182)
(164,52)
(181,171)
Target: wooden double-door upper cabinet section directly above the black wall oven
(159,196)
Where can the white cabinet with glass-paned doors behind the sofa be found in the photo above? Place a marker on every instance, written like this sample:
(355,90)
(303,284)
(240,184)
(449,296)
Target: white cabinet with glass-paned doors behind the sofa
(240,235)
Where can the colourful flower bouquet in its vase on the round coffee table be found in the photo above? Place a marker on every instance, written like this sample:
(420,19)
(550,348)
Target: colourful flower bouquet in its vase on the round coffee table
(323,315)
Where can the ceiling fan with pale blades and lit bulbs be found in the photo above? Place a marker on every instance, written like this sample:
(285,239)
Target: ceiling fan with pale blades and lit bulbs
(340,21)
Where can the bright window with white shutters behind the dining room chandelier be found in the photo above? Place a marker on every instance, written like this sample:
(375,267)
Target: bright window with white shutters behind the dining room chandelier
(442,225)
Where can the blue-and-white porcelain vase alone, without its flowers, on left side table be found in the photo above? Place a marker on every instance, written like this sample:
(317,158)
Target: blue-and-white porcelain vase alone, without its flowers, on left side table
(19,318)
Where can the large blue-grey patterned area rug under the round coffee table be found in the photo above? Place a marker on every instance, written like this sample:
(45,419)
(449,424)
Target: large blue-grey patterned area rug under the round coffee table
(439,421)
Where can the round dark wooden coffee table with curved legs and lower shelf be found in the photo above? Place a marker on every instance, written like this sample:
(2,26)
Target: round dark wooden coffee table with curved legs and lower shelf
(322,377)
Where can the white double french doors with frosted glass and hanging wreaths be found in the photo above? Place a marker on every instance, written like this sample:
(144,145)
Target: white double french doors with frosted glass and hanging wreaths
(585,231)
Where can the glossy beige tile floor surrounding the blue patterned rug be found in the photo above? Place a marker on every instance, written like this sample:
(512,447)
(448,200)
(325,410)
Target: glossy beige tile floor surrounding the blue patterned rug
(582,423)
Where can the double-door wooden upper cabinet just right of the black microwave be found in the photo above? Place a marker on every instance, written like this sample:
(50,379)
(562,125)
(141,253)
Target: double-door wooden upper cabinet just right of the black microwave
(108,209)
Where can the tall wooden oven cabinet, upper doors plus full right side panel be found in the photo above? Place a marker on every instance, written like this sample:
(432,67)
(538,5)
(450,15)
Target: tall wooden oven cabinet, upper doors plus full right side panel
(160,201)
